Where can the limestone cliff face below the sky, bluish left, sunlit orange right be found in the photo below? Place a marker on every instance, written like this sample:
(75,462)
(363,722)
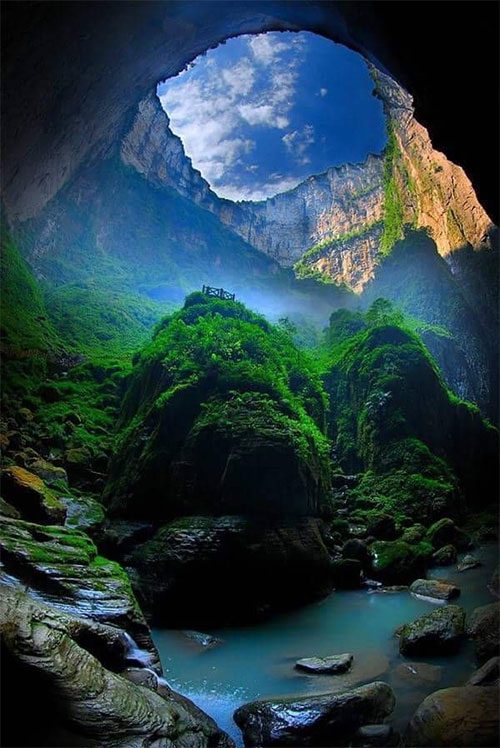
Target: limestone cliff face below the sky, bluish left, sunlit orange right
(335,223)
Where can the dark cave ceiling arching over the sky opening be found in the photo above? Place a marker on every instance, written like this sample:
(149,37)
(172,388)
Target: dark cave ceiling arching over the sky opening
(73,73)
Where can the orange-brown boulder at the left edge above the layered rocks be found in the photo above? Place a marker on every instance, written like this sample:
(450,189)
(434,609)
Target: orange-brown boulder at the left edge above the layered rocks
(31,497)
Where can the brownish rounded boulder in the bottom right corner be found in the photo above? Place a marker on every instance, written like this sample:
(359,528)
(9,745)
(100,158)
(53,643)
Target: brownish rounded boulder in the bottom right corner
(457,717)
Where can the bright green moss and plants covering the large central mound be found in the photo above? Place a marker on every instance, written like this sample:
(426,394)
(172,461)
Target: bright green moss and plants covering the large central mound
(217,368)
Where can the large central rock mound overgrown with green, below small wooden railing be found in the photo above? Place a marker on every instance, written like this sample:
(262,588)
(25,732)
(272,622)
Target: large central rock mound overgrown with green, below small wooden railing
(222,415)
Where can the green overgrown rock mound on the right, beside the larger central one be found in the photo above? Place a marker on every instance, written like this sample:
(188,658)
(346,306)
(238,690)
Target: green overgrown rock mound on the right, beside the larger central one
(425,454)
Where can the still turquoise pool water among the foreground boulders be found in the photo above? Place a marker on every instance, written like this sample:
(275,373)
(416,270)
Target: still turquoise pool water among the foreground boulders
(258,661)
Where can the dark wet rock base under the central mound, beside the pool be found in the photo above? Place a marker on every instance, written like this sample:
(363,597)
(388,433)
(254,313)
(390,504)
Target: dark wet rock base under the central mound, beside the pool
(204,571)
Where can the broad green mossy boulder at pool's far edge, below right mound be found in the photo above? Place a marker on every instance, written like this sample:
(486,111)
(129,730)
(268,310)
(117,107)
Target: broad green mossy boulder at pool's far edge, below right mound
(397,562)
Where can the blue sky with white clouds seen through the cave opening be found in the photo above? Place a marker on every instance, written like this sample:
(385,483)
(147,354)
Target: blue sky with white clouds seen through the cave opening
(259,114)
